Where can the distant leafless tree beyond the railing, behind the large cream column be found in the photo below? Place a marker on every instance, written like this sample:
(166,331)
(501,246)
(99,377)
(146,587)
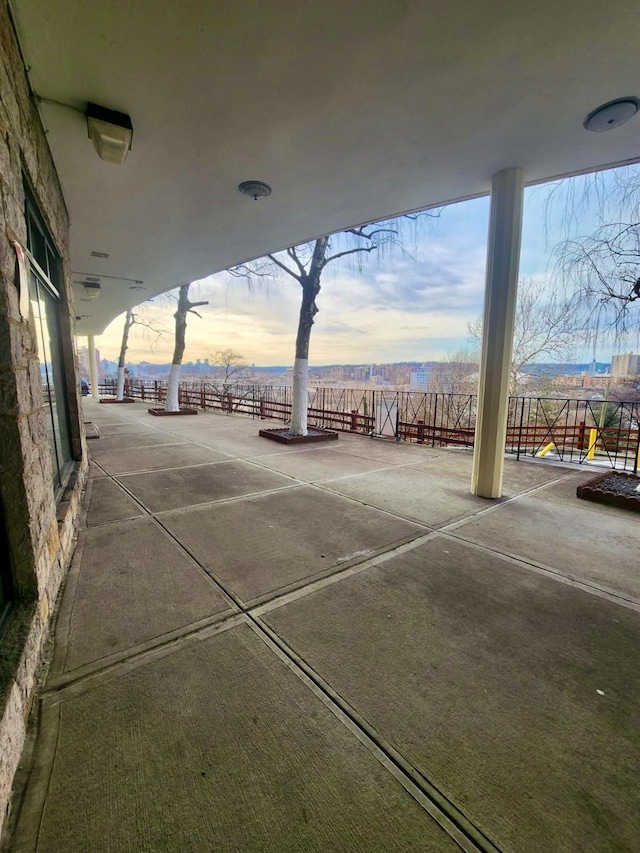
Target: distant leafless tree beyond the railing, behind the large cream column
(547,326)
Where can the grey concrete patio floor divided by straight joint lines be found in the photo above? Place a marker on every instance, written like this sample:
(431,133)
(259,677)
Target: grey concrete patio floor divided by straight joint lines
(334,648)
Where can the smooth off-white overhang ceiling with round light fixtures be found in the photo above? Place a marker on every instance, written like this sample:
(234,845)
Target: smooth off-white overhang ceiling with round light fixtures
(351,111)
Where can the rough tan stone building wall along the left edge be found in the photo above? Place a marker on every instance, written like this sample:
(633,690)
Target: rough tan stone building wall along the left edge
(41,532)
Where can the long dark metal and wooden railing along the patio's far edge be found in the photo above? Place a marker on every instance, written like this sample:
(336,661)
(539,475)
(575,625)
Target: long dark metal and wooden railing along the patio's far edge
(576,431)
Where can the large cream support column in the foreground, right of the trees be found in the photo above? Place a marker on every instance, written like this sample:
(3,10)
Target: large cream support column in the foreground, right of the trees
(503,259)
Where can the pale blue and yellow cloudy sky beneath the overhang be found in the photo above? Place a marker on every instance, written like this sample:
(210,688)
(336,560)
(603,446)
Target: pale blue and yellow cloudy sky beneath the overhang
(402,309)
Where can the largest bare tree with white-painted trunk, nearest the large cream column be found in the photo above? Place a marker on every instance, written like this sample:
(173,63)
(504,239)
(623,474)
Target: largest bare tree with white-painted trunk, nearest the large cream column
(306,264)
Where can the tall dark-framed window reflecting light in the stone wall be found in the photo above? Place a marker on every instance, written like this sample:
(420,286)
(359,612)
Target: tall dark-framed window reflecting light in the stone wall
(45,301)
